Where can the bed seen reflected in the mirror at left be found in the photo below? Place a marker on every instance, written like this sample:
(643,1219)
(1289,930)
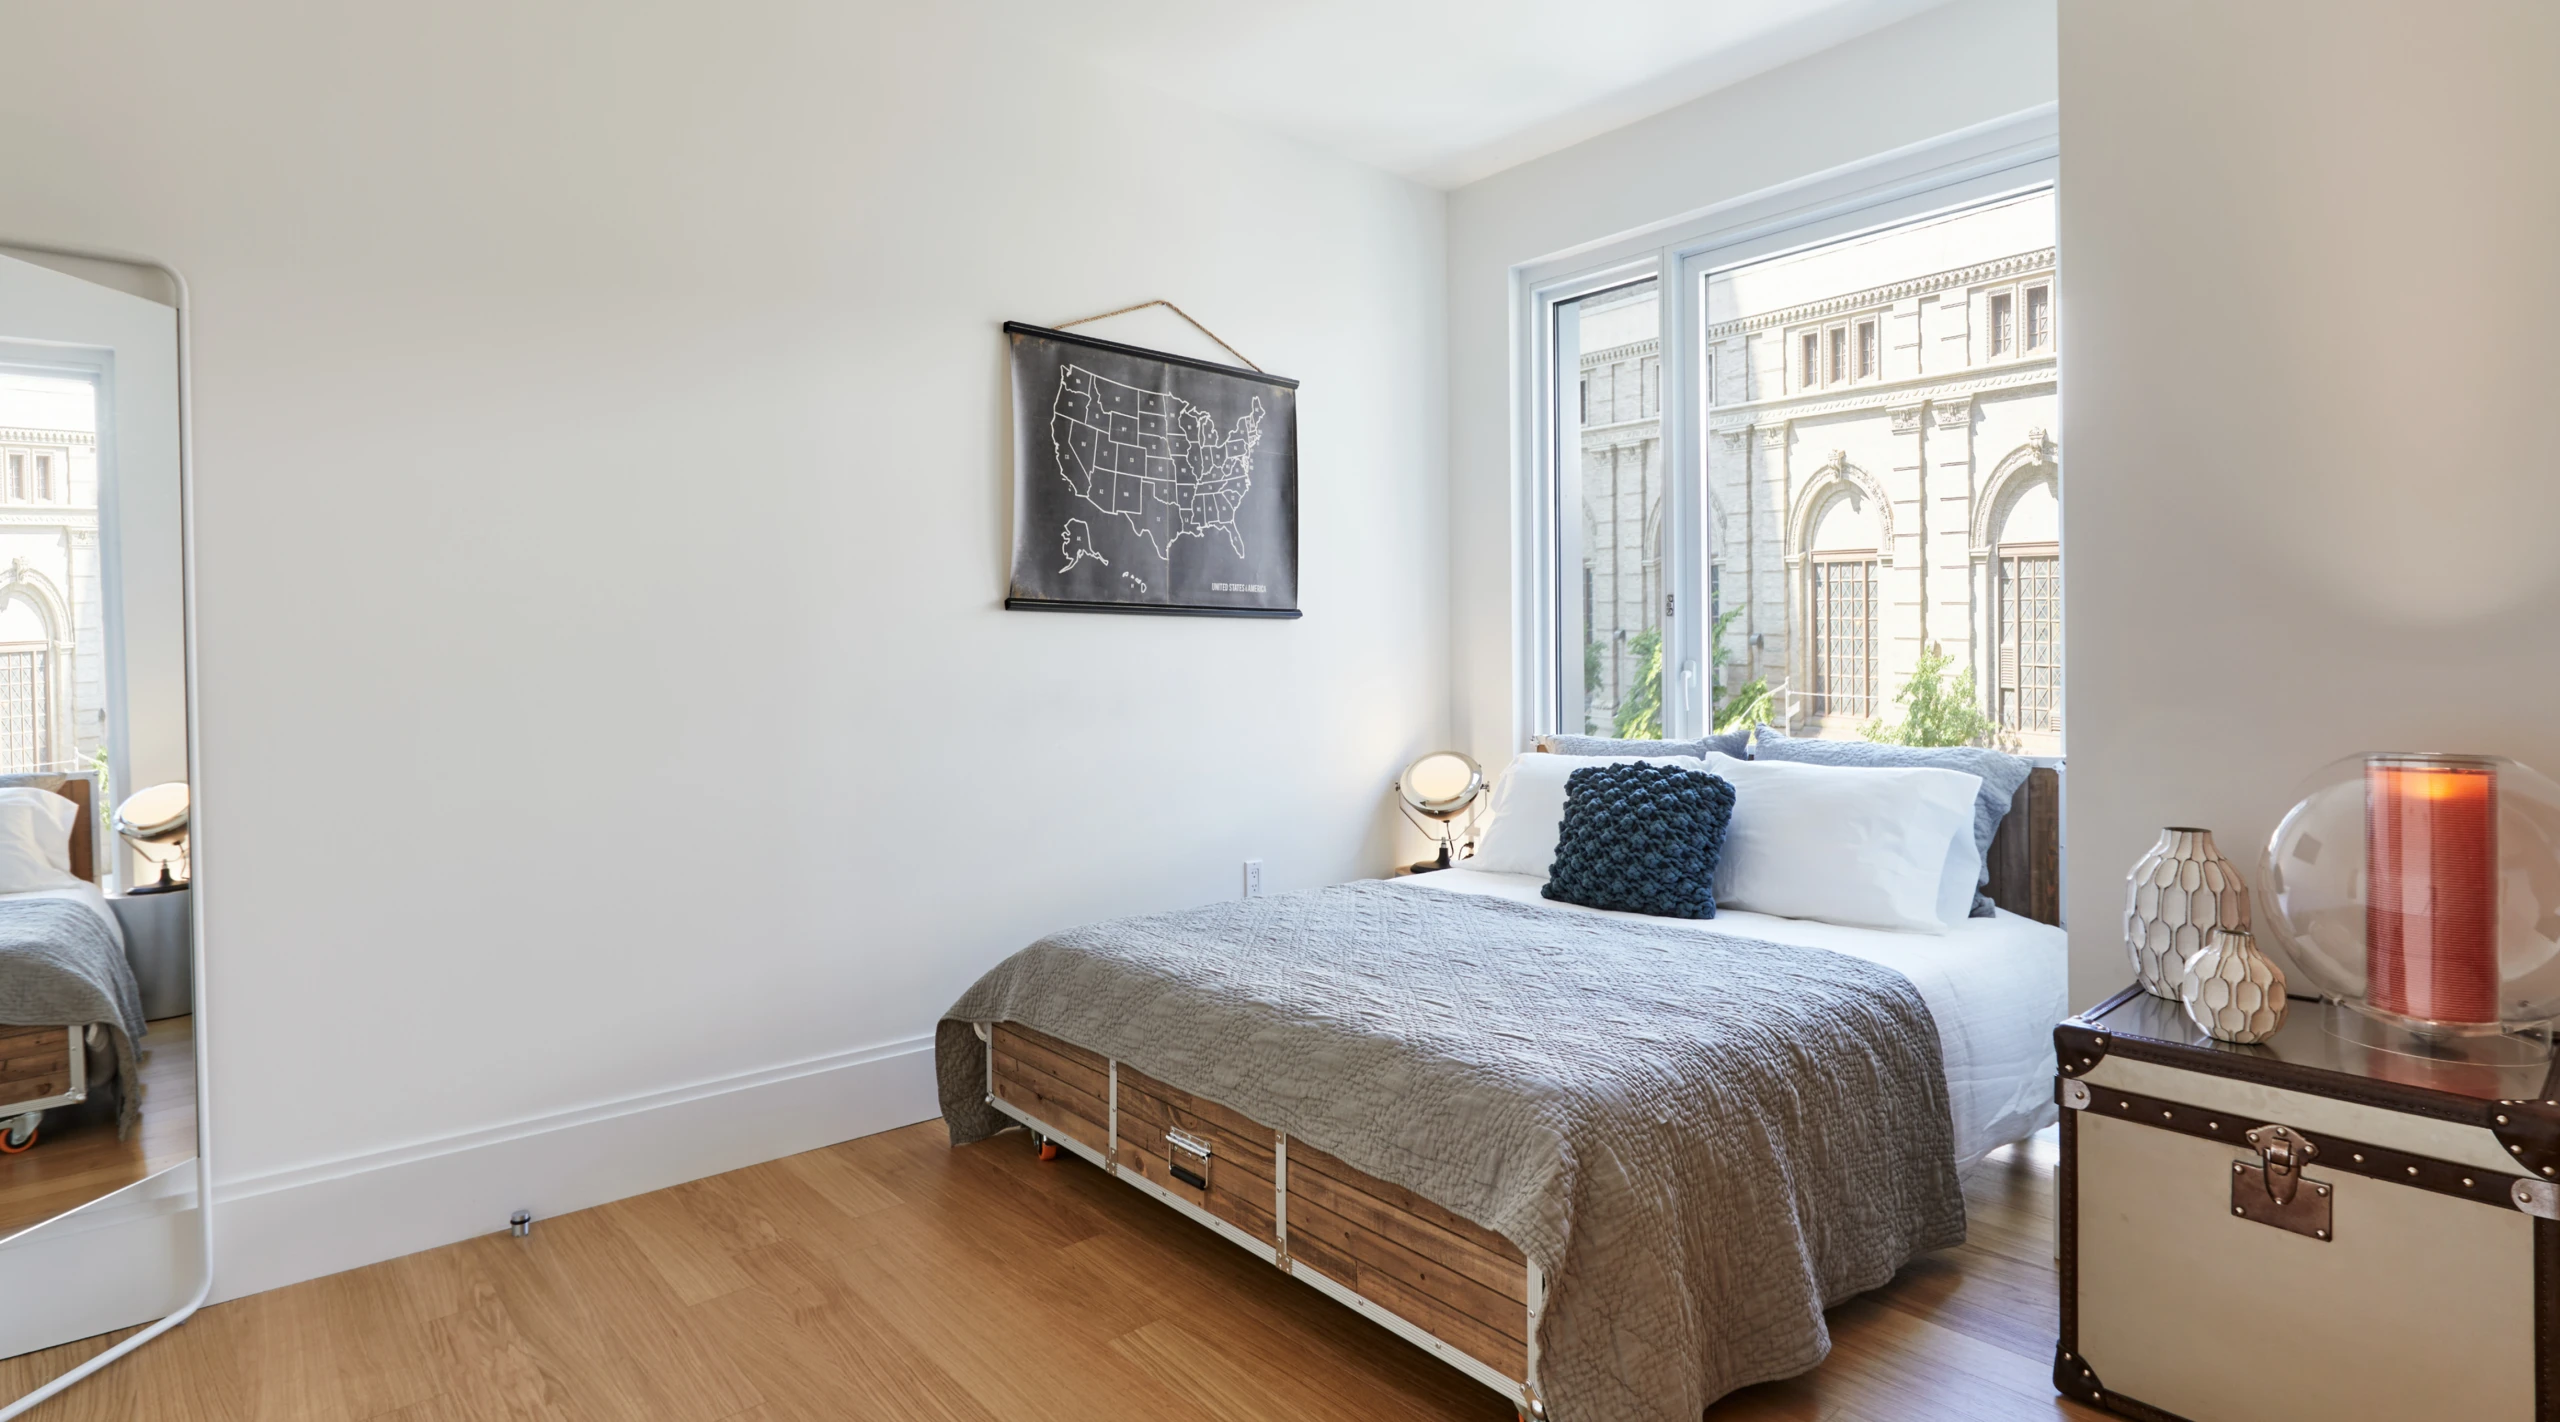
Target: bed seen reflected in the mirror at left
(70,1013)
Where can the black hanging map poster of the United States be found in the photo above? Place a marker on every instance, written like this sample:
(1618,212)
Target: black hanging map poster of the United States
(1151,483)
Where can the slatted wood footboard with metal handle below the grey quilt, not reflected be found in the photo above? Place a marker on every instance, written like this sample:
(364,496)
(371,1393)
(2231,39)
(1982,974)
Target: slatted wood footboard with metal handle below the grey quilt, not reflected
(1417,1270)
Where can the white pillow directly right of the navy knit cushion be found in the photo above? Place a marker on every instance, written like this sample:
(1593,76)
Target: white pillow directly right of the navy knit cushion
(1865,847)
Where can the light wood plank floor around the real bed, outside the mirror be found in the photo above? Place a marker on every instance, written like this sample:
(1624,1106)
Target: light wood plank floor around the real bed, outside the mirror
(897,1277)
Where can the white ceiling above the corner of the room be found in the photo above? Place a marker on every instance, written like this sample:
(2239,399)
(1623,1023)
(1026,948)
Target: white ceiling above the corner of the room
(1448,91)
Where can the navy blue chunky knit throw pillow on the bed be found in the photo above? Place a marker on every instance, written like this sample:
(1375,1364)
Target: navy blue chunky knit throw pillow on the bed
(1642,837)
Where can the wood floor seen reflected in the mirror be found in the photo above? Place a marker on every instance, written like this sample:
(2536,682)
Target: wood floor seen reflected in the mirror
(76,1165)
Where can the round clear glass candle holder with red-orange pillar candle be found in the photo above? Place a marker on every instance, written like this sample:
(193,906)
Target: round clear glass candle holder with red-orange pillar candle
(2423,898)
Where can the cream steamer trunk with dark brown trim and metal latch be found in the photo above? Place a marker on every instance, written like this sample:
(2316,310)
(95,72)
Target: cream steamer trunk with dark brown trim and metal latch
(2310,1229)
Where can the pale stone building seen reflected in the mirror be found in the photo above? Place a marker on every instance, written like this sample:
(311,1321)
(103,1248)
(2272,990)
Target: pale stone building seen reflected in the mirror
(52,616)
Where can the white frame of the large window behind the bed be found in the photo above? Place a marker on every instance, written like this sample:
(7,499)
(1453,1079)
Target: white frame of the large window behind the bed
(1972,165)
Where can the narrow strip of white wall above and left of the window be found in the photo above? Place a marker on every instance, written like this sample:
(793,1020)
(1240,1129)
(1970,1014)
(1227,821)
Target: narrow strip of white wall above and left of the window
(1929,76)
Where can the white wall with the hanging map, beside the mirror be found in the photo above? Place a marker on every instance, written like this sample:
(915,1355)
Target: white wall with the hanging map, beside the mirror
(603,527)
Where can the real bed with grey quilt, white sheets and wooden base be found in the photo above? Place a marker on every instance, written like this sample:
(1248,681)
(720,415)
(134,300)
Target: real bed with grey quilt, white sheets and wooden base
(1606,1165)
